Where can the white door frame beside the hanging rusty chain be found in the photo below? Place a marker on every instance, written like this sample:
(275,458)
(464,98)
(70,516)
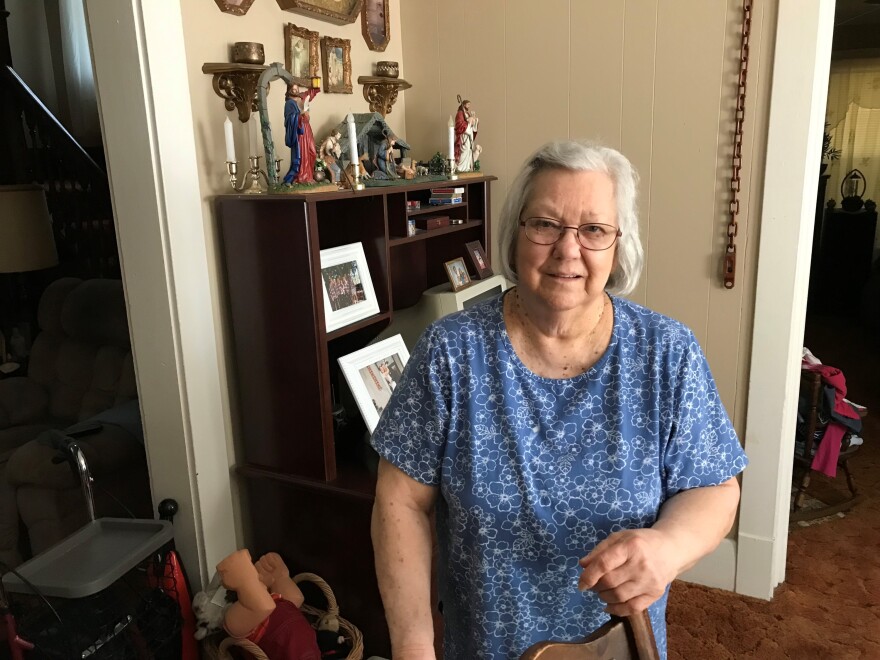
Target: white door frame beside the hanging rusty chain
(801,63)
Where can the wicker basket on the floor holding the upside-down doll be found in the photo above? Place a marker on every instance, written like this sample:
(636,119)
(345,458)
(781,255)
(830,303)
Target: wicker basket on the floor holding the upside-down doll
(219,646)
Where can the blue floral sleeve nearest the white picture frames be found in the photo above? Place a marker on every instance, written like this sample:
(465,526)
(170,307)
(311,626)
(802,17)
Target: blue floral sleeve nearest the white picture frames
(411,433)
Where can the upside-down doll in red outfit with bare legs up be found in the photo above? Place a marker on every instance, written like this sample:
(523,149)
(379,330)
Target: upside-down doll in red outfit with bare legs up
(267,611)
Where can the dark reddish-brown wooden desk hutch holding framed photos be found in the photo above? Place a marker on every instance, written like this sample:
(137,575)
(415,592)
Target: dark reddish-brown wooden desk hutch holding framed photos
(308,490)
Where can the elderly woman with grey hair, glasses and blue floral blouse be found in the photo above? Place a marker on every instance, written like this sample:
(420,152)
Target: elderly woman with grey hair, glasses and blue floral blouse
(572,443)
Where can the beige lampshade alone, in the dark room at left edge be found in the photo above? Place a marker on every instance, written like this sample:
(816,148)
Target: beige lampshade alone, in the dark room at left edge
(26,240)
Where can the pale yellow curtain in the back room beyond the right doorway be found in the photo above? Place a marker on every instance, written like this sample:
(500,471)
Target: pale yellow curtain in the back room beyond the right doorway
(853,115)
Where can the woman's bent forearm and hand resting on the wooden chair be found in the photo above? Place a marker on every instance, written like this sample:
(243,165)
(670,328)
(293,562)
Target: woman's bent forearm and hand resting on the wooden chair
(631,569)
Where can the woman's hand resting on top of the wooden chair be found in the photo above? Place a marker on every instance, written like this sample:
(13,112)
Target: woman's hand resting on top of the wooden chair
(630,569)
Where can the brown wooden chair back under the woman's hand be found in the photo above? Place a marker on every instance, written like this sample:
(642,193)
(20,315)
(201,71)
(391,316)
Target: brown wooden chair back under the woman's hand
(622,638)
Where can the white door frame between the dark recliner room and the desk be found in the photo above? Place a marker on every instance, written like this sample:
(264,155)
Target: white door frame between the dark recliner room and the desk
(146,122)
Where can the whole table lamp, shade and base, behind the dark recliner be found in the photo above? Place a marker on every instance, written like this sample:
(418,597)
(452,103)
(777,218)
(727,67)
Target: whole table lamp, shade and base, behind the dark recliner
(26,244)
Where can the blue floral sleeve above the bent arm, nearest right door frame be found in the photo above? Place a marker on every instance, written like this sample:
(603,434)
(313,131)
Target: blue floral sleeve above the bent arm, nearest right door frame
(702,448)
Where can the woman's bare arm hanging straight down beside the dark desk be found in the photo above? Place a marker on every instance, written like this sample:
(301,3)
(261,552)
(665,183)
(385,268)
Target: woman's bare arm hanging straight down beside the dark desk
(401,531)
